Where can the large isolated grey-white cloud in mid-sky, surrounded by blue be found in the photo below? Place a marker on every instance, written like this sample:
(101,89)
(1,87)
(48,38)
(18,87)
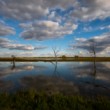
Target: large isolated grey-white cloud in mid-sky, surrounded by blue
(43,30)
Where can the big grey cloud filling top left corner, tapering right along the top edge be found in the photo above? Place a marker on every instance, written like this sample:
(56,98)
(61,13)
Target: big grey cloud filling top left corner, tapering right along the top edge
(30,9)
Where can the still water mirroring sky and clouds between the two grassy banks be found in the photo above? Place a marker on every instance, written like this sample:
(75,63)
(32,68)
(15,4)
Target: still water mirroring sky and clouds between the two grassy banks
(82,78)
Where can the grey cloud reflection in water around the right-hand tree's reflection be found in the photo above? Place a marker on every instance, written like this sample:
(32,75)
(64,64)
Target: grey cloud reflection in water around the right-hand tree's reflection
(100,71)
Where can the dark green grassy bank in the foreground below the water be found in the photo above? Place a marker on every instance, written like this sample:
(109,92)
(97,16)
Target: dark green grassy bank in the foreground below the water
(31,100)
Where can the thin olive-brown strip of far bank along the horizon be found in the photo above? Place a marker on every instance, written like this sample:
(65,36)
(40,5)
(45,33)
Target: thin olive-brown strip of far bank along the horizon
(49,59)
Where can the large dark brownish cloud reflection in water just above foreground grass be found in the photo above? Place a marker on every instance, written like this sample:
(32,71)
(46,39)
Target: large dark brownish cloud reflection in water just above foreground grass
(49,84)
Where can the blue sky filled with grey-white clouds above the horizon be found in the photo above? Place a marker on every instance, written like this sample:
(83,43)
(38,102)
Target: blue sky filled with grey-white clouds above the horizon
(34,27)
